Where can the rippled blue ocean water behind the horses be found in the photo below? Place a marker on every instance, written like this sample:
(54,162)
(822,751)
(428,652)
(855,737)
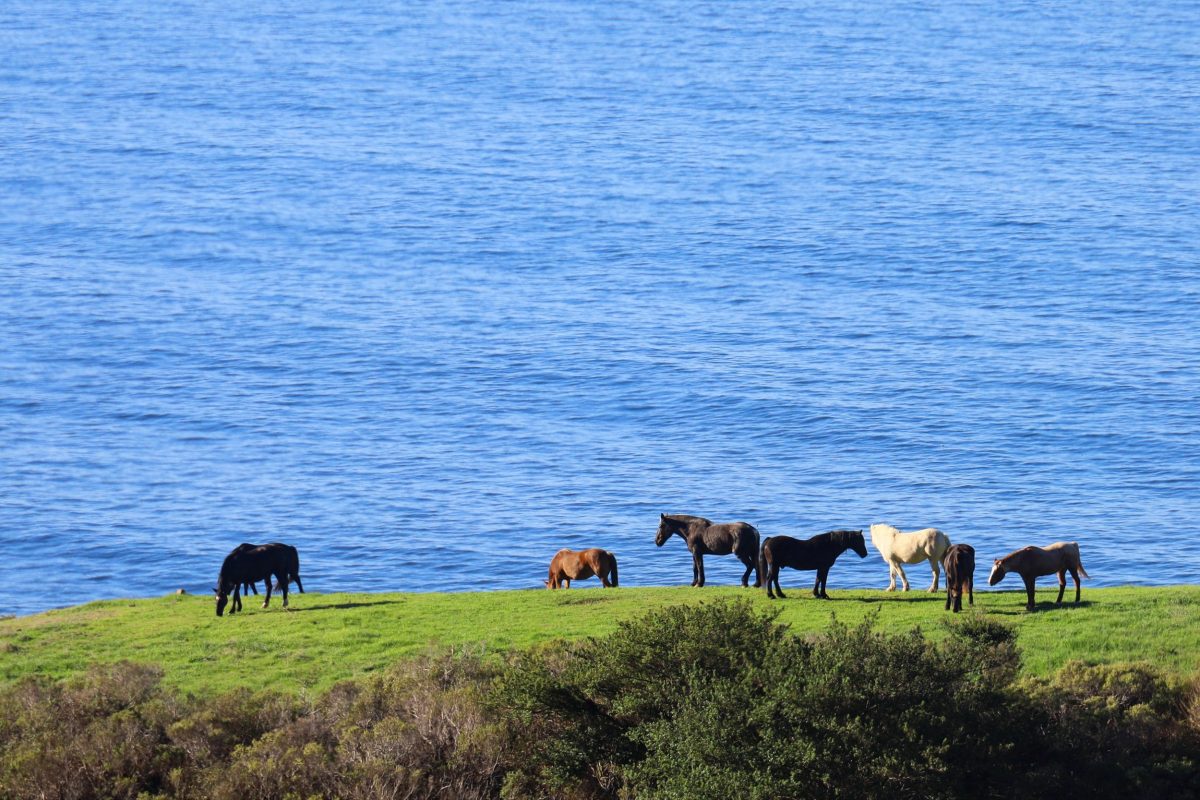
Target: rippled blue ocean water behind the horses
(431,291)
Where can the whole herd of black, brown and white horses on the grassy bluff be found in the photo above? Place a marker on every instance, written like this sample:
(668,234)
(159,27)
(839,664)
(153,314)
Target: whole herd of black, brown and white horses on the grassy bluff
(249,564)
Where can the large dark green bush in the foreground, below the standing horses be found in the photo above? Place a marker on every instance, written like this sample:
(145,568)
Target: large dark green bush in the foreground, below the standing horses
(718,701)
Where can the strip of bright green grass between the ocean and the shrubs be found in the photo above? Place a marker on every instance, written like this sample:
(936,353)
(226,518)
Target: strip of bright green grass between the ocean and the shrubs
(327,639)
